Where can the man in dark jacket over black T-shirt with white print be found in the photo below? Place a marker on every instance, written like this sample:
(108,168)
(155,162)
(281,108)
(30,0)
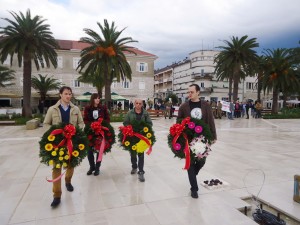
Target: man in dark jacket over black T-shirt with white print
(200,110)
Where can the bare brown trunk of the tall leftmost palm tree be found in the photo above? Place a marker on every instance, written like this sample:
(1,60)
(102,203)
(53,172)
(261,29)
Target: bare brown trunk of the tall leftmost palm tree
(26,110)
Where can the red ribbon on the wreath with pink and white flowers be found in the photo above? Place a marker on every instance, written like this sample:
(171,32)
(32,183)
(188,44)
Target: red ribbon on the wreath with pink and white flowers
(176,130)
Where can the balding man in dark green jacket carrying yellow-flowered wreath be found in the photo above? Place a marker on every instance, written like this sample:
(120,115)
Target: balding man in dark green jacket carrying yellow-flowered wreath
(138,113)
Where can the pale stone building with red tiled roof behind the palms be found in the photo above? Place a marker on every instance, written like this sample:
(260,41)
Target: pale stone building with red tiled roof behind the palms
(141,85)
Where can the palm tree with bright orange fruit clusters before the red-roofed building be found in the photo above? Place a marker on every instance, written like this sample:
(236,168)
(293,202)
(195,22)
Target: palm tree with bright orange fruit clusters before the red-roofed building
(106,55)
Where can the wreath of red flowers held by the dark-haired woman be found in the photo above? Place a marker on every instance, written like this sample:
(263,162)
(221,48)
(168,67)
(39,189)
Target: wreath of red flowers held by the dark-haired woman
(101,136)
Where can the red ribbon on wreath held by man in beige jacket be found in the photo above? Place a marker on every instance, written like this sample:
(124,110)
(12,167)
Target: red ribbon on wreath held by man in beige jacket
(68,132)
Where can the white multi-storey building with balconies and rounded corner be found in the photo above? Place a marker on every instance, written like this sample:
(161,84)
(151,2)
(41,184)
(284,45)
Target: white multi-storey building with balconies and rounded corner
(199,68)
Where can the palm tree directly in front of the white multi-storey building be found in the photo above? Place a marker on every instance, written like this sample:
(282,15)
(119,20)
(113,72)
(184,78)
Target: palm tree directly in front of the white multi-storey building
(237,57)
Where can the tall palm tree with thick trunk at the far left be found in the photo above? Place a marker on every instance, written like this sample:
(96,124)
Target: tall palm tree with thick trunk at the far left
(30,39)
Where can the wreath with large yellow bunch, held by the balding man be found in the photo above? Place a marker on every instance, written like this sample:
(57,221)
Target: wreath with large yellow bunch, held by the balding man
(137,137)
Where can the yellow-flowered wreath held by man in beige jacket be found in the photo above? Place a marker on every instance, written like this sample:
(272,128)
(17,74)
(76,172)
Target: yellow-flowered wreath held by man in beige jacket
(63,145)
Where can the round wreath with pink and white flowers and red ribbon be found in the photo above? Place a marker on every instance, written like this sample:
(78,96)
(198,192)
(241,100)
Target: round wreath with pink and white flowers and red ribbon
(190,138)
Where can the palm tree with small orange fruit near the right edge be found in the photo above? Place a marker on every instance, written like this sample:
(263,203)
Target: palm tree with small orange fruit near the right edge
(280,75)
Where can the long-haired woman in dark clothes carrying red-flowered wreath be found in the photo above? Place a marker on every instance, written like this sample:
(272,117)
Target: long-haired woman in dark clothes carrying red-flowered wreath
(93,112)
